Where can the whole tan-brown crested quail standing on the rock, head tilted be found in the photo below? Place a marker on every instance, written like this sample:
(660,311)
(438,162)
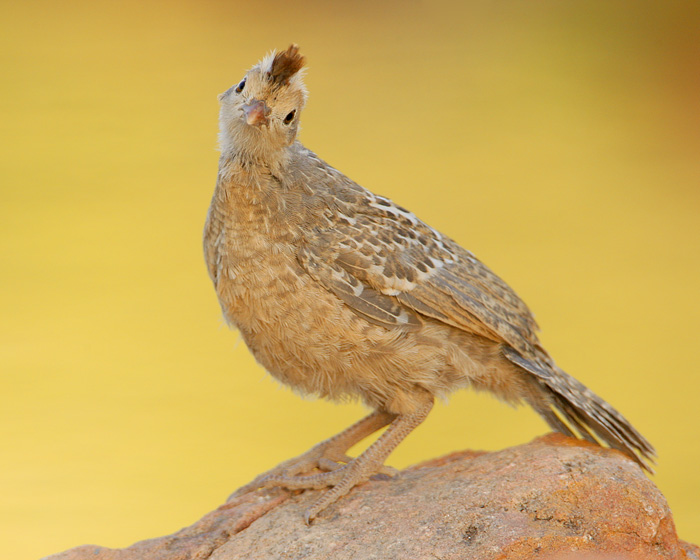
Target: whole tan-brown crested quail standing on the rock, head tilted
(341,294)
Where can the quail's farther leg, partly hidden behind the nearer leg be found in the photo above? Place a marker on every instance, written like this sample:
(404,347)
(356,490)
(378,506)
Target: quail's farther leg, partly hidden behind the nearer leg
(326,456)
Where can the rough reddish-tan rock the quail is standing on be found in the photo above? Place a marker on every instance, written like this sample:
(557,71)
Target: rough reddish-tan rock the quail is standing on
(552,498)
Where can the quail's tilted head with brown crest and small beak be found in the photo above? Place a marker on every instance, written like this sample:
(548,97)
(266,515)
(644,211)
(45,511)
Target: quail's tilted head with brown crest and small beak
(260,114)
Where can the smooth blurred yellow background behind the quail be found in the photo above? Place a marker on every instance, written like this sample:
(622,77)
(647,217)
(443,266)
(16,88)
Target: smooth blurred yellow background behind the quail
(559,141)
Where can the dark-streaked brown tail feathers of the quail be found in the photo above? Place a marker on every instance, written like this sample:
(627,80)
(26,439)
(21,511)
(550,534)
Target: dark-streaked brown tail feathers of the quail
(571,408)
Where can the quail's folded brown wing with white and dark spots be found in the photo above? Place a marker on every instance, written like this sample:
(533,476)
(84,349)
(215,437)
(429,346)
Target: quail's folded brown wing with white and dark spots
(391,268)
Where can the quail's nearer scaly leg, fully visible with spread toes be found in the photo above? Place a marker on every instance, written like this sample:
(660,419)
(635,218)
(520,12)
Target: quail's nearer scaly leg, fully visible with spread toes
(358,470)
